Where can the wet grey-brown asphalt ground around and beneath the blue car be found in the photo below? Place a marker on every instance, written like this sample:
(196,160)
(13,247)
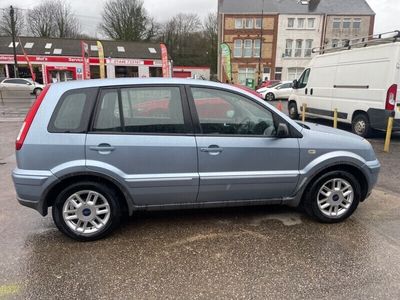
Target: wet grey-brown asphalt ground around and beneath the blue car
(258,253)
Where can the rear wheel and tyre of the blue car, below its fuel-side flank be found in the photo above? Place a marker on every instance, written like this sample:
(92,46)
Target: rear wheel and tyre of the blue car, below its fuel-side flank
(87,211)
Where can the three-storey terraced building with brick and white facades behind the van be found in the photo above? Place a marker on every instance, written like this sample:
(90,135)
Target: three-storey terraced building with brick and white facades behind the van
(291,29)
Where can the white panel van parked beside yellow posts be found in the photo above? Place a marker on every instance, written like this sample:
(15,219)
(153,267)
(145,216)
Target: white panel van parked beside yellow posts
(362,82)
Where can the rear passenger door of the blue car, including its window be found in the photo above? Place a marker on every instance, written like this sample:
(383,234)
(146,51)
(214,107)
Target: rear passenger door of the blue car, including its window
(143,135)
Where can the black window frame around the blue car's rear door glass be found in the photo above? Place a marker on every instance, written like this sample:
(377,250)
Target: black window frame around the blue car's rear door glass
(188,123)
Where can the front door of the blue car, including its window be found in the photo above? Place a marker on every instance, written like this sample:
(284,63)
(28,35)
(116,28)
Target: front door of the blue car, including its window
(240,157)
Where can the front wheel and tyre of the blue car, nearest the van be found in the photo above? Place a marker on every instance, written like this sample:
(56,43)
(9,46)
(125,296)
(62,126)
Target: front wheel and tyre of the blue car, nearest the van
(333,197)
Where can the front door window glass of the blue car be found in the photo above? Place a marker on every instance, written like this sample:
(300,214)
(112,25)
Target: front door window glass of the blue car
(226,113)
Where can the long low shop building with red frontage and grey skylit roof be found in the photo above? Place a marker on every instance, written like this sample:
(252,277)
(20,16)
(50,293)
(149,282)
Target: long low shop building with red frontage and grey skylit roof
(56,60)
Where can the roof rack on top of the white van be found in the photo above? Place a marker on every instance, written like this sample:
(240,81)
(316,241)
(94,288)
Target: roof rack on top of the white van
(370,40)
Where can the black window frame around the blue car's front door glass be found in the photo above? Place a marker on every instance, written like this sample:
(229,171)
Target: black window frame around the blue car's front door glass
(196,120)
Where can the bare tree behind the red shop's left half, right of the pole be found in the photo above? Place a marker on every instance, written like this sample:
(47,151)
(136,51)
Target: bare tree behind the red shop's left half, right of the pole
(53,18)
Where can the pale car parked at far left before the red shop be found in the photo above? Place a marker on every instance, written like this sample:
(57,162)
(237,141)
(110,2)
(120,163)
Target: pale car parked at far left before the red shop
(19,87)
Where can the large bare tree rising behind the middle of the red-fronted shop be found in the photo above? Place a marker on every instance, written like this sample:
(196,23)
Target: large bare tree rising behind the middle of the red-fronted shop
(127,20)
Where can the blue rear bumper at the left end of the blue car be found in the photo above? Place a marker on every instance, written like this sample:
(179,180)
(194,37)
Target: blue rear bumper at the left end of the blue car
(31,186)
